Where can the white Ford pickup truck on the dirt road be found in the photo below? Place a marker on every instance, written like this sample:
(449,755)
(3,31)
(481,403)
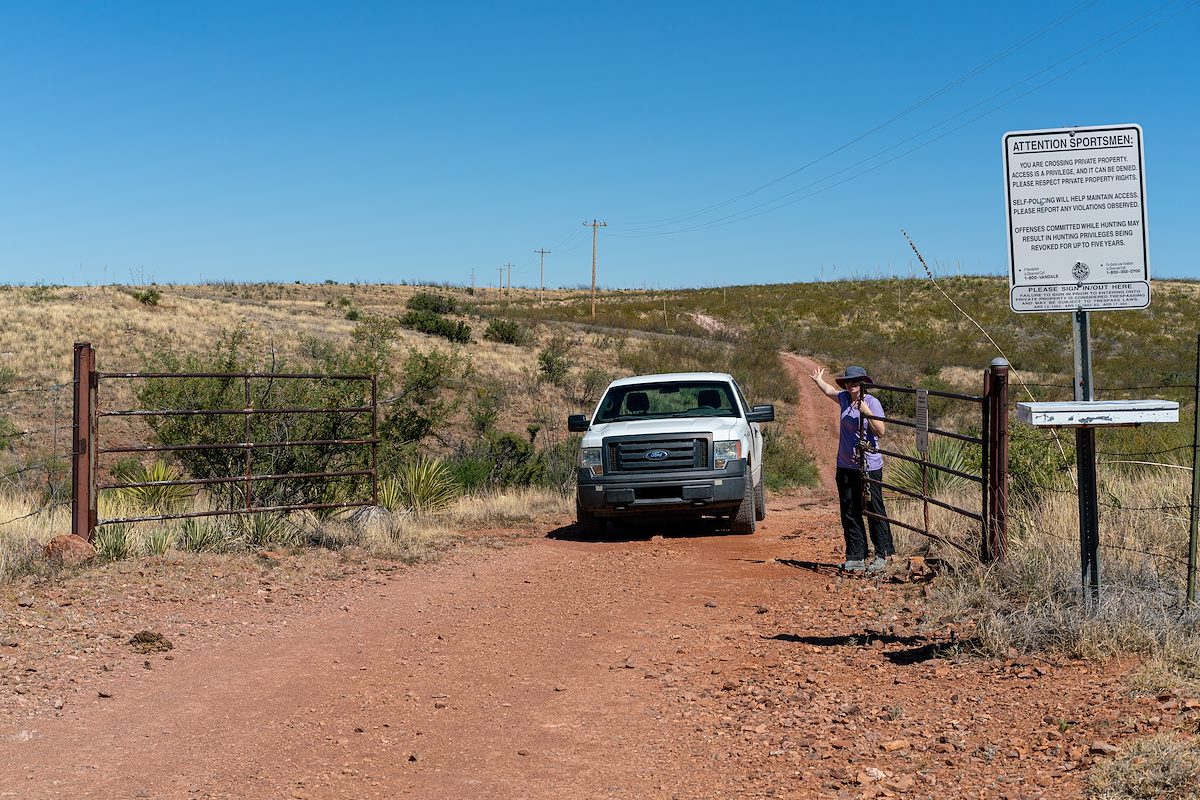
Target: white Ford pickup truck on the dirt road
(681,444)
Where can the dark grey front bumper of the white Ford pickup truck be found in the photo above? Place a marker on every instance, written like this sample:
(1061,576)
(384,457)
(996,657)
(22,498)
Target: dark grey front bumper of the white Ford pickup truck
(694,492)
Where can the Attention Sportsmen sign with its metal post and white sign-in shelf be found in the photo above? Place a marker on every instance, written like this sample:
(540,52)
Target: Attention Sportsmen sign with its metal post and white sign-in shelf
(1076,201)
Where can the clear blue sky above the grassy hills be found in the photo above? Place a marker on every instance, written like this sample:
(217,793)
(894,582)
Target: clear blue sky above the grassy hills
(722,142)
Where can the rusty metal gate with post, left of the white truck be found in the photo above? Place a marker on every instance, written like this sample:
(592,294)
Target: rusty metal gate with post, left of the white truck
(89,446)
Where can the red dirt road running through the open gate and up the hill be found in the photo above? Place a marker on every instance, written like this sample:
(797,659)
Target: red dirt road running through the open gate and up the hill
(651,664)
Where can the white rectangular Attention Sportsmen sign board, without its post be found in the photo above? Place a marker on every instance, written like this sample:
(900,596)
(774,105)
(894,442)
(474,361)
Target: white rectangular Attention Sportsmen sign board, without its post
(1077,220)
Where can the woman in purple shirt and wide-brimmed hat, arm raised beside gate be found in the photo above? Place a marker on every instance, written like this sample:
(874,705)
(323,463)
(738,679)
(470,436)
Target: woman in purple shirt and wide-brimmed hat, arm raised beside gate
(862,418)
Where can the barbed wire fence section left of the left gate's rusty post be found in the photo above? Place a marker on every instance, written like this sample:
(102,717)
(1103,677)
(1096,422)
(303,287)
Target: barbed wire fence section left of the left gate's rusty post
(37,443)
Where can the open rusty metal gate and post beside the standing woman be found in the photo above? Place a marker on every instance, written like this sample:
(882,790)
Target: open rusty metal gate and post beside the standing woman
(993,478)
